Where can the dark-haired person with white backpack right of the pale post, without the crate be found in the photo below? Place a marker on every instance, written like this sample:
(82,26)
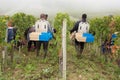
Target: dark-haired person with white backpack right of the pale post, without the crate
(80,29)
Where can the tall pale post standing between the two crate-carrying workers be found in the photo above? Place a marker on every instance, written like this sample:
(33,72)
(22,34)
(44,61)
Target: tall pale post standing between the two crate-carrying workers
(64,48)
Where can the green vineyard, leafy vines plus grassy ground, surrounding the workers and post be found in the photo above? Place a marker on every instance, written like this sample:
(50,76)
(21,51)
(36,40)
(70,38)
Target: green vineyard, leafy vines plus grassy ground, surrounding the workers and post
(92,65)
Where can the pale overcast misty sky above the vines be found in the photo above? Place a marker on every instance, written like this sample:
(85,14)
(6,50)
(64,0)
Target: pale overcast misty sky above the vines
(73,7)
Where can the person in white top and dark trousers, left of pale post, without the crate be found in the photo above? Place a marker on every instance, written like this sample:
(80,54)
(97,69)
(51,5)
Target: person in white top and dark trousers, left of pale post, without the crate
(42,26)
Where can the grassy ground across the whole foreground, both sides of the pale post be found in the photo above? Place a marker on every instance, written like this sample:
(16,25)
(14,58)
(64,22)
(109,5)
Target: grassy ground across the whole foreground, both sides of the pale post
(91,66)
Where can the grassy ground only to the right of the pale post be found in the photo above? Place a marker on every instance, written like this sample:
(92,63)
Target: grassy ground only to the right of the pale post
(91,66)
